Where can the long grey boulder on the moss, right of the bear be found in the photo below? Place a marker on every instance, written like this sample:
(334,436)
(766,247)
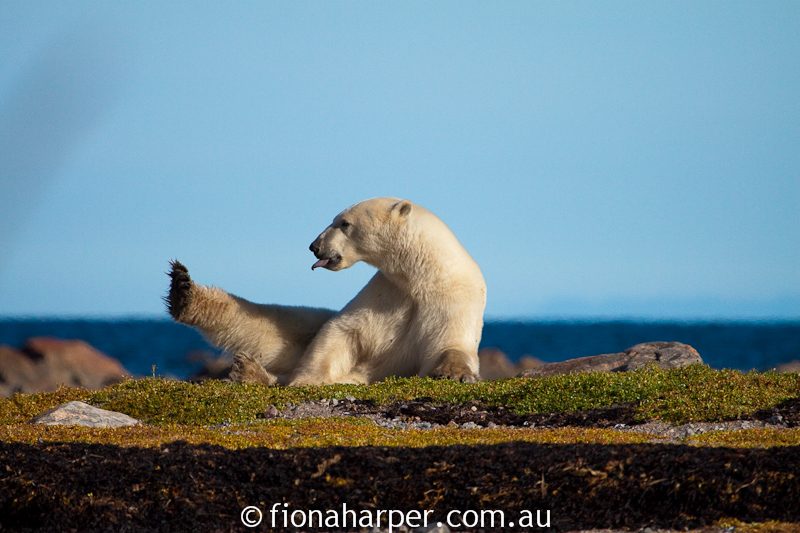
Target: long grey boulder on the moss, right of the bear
(662,354)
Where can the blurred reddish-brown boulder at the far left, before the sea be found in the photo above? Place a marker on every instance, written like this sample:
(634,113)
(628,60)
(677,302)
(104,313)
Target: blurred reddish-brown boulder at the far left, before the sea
(45,363)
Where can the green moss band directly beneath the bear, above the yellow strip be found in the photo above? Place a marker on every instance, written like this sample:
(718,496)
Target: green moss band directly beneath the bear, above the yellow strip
(695,393)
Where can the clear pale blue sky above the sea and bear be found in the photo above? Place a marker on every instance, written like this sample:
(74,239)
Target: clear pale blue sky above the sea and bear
(598,159)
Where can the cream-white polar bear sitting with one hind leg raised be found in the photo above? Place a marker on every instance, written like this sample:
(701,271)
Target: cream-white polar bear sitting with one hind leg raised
(420,314)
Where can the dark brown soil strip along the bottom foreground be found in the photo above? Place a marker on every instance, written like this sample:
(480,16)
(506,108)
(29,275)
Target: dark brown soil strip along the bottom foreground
(179,487)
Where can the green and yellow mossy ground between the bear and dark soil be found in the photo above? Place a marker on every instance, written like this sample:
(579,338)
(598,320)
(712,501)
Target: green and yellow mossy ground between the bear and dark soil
(228,414)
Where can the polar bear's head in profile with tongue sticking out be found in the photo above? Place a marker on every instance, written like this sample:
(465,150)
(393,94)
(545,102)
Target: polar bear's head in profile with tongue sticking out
(367,231)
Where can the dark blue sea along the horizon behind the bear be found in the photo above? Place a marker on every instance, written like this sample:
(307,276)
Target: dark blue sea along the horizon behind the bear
(140,344)
